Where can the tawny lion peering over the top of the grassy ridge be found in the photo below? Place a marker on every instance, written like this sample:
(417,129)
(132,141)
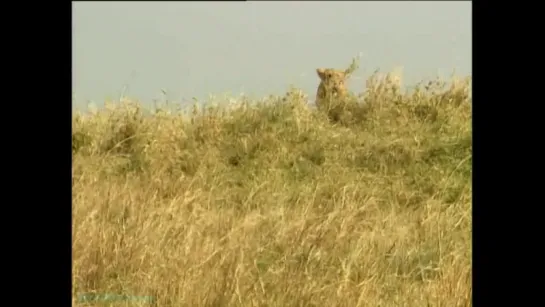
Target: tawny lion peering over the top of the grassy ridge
(332,85)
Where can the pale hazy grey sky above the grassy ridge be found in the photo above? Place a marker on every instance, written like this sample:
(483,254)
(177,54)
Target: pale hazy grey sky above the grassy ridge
(192,49)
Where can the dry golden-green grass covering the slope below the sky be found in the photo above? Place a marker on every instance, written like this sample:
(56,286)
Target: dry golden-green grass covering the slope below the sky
(275,204)
